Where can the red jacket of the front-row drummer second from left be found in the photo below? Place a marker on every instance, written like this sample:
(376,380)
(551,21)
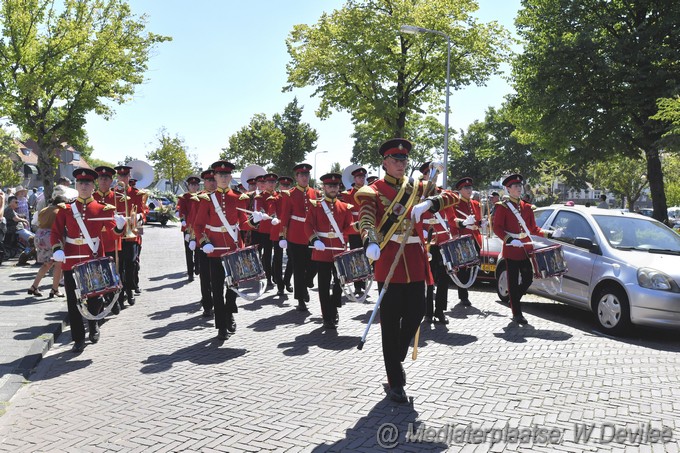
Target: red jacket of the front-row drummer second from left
(208,226)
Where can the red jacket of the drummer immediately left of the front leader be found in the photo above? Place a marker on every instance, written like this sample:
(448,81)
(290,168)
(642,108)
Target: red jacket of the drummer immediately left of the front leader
(318,226)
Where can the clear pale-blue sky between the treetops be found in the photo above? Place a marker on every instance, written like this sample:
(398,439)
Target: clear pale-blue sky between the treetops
(227,62)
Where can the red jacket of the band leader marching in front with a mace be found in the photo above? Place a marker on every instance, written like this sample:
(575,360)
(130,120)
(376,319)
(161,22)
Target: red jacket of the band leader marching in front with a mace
(373,201)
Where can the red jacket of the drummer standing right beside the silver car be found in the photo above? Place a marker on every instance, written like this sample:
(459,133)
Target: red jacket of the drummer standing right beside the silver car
(507,227)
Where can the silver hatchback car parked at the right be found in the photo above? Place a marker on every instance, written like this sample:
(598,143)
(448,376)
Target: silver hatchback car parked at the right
(623,267)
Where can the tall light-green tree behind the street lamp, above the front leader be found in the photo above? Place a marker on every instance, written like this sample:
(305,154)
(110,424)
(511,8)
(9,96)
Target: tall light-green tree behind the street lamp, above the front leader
(359,62)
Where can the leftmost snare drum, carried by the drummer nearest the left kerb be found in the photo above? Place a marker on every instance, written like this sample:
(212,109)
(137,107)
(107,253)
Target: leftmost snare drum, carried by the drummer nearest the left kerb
(96,277)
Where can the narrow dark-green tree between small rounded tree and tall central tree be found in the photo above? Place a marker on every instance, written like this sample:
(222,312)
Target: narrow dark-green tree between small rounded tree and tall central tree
(299,139)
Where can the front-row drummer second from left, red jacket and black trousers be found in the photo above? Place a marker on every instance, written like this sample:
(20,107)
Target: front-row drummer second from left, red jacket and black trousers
(216,228)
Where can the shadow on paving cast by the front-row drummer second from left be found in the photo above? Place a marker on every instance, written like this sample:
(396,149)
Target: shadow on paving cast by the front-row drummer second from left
(207,352)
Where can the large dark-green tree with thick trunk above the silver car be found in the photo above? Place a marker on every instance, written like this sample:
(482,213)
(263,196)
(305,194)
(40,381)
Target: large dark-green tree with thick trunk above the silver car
(590,75)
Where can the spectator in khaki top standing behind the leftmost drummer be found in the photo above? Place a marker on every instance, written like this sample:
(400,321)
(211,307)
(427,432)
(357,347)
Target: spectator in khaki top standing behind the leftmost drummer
(44,249)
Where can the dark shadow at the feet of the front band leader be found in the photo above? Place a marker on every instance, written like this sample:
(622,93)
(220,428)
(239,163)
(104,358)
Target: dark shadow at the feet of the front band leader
(384,428)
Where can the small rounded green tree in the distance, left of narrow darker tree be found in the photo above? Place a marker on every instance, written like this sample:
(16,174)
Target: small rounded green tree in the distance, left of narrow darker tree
(257,143)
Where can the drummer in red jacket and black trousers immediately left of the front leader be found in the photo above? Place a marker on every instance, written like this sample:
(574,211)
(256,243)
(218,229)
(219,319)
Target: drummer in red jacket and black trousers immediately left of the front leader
(329,220)
